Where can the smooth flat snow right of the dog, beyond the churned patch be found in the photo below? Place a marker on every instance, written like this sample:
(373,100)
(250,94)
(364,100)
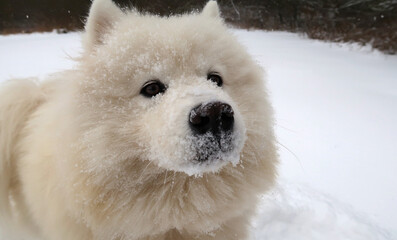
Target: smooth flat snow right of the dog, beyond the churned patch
(336,107)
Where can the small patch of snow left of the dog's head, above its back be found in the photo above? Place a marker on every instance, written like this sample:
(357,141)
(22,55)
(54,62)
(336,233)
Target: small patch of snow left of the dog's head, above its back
(37,55)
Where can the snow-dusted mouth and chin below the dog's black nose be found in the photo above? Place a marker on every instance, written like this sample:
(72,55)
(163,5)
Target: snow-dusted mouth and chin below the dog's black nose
(196,155)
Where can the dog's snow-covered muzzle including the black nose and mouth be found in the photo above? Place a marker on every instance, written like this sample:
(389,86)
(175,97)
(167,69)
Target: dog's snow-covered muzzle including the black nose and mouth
(201,129)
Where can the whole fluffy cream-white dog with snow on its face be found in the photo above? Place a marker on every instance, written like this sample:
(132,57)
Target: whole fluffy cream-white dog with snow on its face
(163,131)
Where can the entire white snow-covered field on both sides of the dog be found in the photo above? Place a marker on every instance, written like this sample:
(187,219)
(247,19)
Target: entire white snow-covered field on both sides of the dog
(336,111)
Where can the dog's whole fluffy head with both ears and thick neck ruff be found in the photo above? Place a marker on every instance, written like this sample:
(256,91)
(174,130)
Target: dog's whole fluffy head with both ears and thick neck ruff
(164,100)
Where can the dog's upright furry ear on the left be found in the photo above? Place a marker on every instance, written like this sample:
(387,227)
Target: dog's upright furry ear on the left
(103,14)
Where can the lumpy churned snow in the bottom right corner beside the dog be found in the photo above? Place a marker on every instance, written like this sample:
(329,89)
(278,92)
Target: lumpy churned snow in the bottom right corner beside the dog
(297,212)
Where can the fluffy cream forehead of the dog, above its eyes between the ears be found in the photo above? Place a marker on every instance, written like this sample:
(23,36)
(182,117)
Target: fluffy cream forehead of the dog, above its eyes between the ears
(155,43)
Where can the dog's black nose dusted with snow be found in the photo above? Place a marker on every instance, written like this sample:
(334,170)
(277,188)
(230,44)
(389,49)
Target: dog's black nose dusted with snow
(212,117)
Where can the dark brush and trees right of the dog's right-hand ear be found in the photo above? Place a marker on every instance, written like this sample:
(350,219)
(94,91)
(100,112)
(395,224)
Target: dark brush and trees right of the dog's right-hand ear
(363,21)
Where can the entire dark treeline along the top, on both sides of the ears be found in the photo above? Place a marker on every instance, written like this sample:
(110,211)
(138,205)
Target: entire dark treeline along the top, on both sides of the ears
(363,21)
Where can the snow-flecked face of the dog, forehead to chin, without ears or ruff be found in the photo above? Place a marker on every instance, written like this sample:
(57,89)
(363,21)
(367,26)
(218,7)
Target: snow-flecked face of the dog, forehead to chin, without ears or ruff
(174,82)
